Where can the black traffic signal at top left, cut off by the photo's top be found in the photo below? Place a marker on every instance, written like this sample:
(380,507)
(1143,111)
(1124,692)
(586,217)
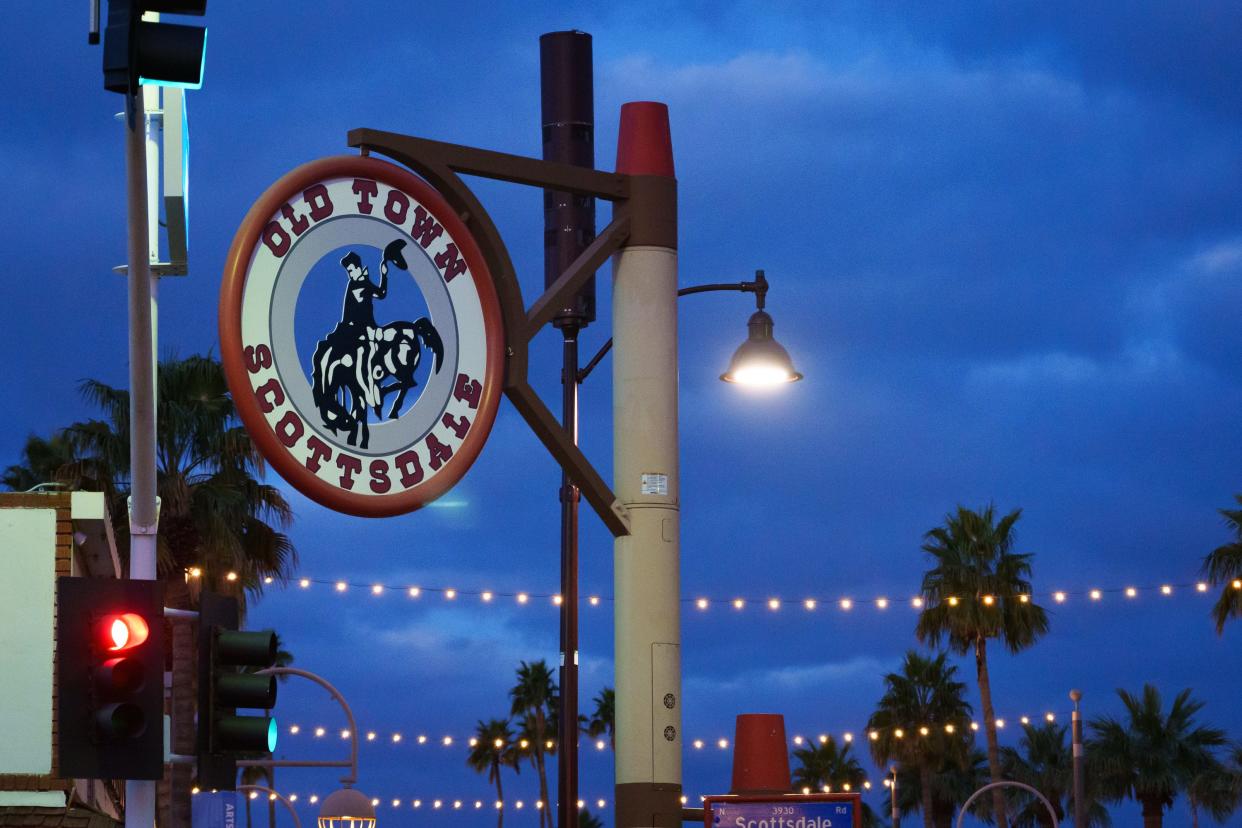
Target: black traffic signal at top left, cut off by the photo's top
(137,52)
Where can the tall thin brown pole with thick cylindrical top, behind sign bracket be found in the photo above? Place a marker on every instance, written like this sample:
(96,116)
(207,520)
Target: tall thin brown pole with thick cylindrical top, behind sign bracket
(568,105)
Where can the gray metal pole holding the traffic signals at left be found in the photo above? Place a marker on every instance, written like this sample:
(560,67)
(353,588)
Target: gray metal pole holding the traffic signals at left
(143,515)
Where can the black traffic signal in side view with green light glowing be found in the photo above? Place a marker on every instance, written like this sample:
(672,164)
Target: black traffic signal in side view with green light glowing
(224,737)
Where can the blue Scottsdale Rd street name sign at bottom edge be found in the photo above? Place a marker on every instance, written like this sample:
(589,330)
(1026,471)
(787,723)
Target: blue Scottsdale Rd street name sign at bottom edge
(784,811)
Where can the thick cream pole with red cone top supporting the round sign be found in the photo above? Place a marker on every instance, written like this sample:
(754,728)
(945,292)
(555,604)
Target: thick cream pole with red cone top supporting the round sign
(646,562)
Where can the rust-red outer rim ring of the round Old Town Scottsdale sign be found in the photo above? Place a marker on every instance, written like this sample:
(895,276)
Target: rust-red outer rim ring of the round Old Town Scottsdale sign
(290,187)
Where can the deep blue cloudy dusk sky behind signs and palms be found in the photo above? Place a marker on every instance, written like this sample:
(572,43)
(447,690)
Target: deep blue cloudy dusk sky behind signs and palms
(1005,248)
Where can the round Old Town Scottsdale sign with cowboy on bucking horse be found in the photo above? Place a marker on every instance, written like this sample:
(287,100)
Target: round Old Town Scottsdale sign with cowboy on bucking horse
(362,336)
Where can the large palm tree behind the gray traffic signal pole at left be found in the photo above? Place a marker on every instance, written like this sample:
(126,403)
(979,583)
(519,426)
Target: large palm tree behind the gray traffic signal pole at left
(215,515)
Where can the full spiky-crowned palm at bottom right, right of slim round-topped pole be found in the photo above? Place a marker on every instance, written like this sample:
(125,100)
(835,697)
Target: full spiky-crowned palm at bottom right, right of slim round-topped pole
(1152,757)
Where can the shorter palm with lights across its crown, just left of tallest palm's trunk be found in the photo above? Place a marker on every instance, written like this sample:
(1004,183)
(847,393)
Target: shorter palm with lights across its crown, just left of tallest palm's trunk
(920,721)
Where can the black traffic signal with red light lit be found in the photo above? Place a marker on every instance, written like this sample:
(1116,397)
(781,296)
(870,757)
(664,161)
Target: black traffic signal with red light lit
(110,678)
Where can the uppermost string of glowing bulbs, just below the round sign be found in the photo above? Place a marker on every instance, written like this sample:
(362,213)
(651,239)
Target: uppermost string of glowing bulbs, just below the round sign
(737,604)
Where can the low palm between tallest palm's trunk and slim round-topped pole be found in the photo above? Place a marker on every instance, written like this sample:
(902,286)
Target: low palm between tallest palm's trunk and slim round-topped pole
(1045,762)
